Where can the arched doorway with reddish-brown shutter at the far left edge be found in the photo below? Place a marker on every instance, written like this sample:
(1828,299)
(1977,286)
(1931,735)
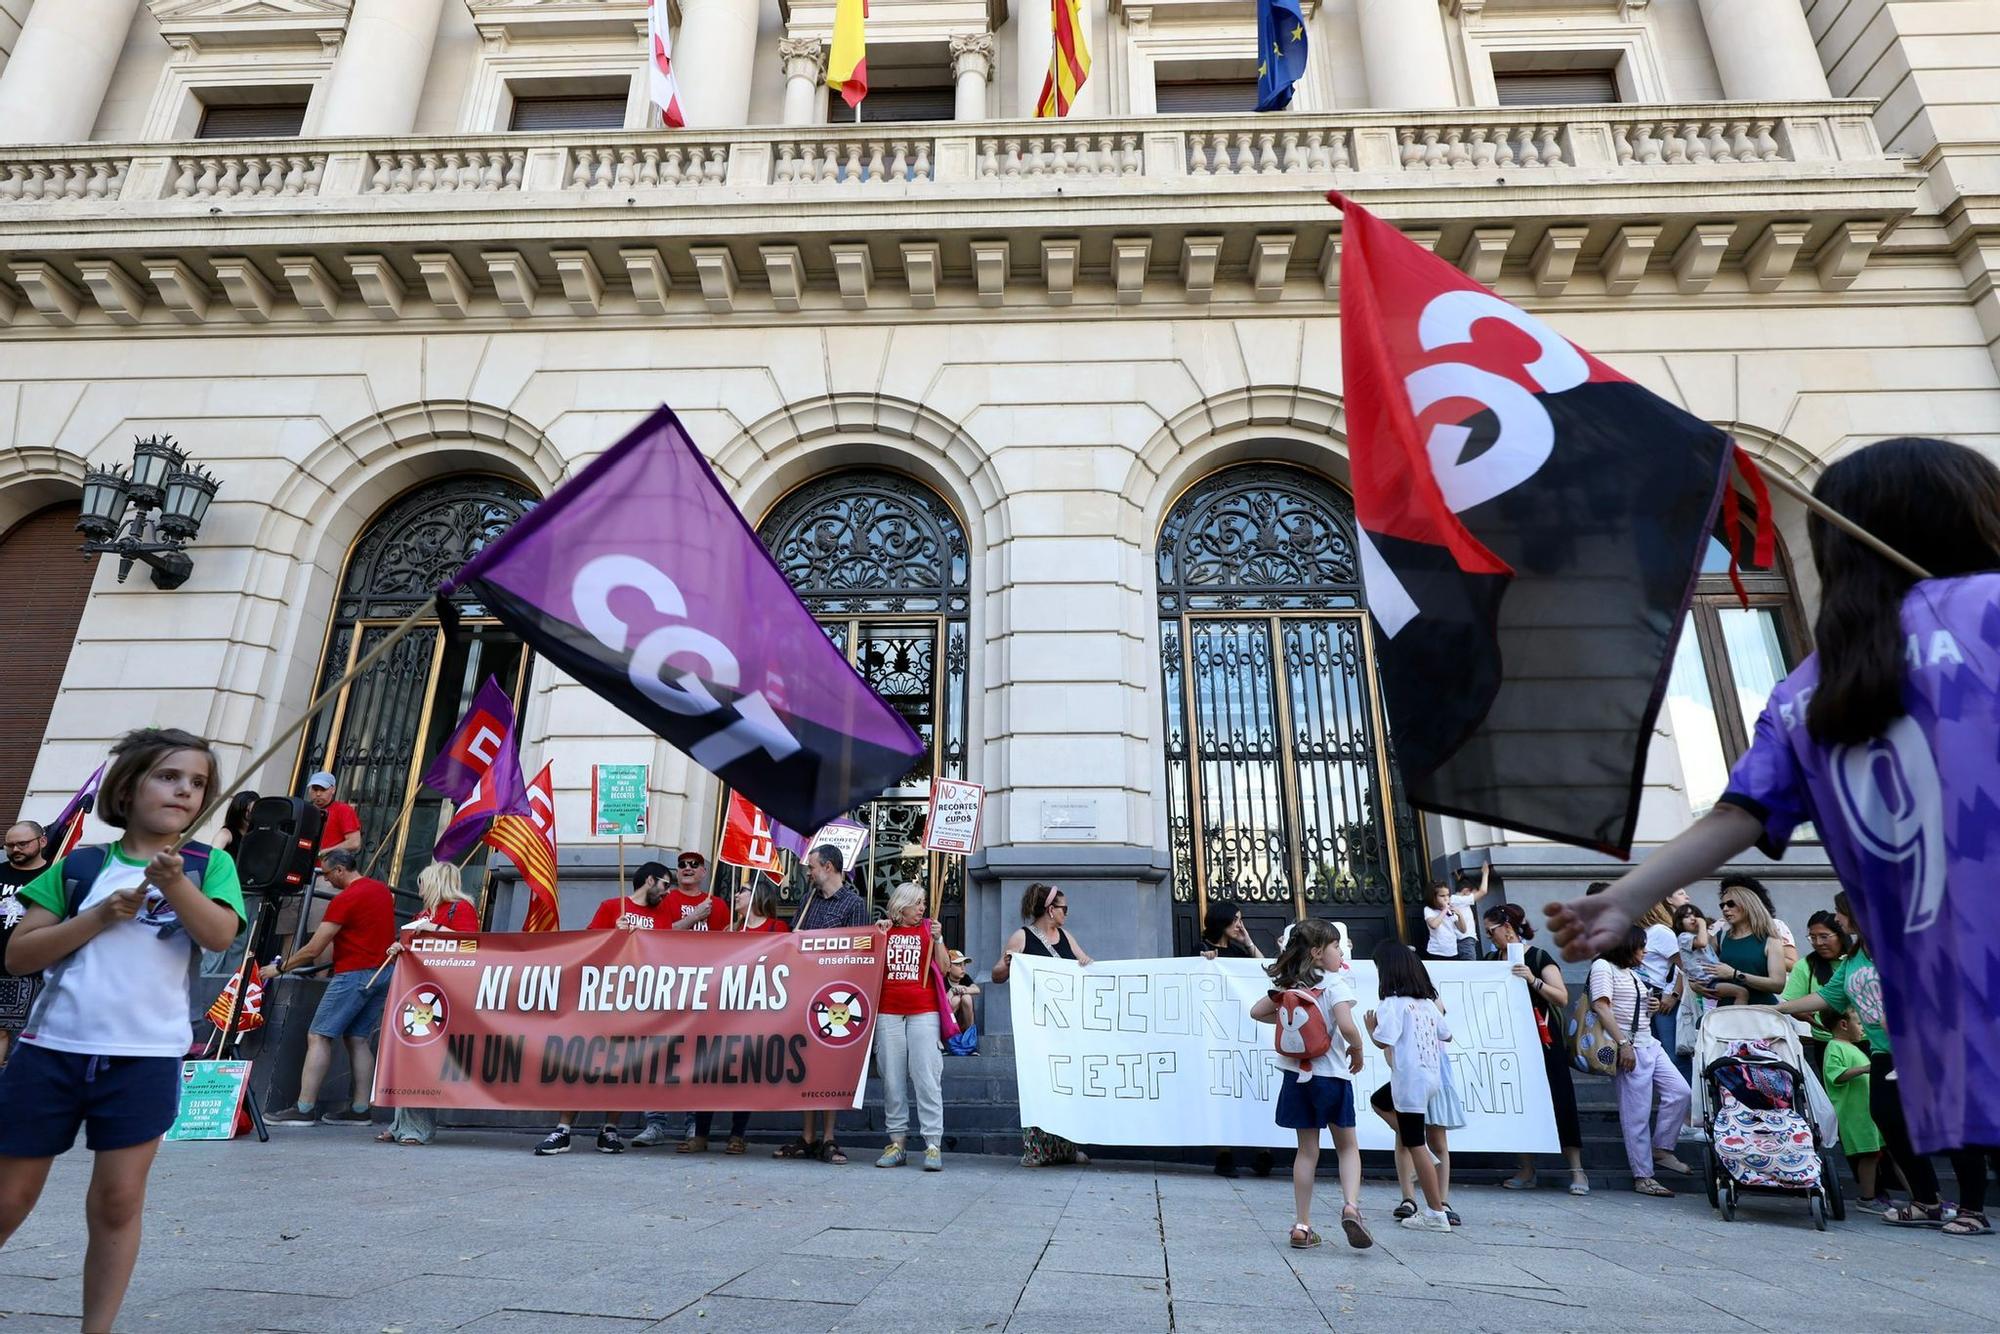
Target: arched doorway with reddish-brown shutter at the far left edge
(51,583)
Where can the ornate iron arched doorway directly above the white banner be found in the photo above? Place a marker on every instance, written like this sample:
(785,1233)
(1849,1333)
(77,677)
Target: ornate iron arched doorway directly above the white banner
(1281,791)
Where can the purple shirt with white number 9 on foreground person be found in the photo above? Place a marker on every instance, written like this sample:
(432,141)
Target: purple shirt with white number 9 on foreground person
(1911,823)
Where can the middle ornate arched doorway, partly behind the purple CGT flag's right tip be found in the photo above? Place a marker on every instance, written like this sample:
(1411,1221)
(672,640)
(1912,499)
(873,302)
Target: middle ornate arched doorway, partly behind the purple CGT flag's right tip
(883,563)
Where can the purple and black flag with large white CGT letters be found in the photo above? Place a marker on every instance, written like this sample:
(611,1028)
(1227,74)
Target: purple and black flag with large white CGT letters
(643,581)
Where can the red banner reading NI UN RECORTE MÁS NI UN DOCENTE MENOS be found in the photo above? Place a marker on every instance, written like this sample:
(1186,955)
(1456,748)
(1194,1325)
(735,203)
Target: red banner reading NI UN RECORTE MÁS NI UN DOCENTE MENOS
(631,1021)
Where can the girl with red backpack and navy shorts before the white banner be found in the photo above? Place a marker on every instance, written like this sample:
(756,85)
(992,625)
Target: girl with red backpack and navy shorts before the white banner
(1321,1053)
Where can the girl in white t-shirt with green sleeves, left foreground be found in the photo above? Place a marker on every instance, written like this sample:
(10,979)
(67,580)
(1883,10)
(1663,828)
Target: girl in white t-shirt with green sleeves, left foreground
(117,931)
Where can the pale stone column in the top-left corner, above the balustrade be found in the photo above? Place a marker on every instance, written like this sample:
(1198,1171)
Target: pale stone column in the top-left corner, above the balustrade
(61,69)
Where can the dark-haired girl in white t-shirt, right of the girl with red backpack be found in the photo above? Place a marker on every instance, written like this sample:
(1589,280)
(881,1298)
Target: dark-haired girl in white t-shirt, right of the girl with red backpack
(1411,1029)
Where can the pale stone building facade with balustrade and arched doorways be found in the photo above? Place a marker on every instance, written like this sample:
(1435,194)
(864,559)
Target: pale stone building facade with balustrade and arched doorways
(1045,419)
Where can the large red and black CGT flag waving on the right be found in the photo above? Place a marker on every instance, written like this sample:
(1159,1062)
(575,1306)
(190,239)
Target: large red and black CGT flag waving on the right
(1533,525)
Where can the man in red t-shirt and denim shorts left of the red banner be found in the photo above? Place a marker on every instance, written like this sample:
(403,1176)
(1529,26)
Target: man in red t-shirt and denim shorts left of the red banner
(359,927)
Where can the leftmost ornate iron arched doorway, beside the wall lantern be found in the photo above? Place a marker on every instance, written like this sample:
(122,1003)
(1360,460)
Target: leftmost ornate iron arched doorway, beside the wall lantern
(387,725)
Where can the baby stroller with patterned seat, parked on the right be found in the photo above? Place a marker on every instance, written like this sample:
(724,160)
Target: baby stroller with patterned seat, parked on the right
(1763,1133)
